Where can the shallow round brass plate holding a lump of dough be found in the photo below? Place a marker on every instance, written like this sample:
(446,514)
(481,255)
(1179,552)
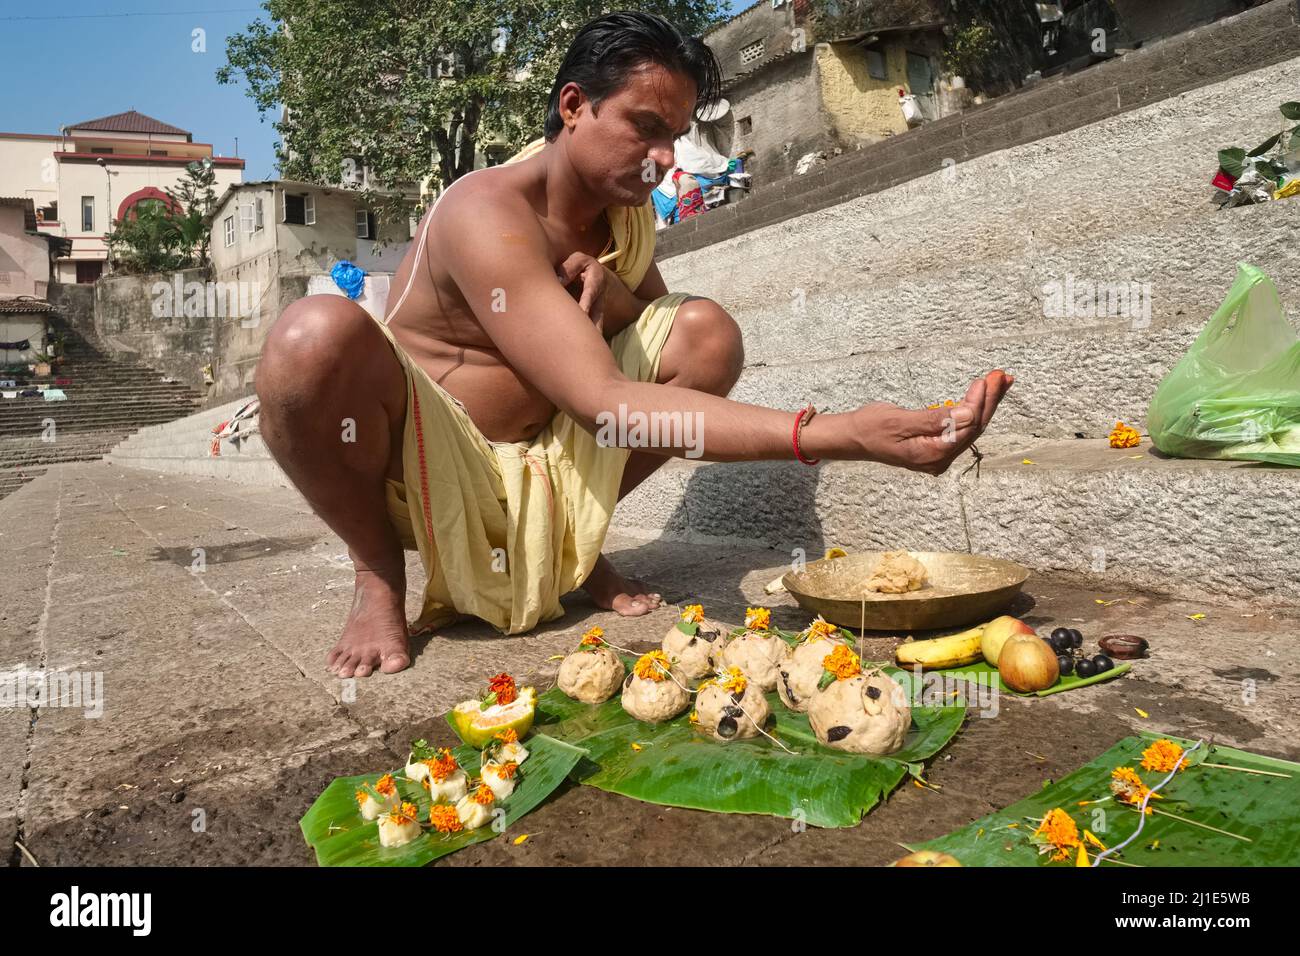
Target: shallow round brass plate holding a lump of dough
(961,590)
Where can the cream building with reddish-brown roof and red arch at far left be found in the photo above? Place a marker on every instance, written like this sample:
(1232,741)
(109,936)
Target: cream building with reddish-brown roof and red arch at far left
(94,174)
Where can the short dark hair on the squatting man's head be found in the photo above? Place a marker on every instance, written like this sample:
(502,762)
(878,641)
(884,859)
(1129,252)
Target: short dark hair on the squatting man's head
(609,49)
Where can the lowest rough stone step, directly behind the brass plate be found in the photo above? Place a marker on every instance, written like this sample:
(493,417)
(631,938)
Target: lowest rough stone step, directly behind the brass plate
(1117,520)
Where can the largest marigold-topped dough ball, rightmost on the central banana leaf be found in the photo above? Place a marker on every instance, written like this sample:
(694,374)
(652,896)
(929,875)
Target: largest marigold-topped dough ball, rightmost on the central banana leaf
(856,712)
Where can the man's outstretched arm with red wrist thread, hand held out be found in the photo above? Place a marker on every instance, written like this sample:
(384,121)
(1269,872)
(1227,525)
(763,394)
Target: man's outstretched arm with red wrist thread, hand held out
(497,258)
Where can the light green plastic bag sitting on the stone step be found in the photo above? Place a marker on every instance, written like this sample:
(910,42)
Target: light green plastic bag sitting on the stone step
(1237,392)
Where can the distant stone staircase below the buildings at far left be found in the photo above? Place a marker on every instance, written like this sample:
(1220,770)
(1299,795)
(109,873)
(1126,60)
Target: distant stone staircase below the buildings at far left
(107,401)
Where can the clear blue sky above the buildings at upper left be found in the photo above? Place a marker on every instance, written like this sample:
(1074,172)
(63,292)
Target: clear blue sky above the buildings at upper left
(70,62)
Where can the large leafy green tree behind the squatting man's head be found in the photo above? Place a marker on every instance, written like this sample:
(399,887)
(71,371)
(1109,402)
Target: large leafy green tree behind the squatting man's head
(408,90)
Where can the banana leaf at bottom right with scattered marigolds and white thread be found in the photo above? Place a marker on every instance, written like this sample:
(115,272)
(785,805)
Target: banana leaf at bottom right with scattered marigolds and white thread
(1256,807)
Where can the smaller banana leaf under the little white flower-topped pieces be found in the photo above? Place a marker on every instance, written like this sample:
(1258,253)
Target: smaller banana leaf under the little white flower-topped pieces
(335,829)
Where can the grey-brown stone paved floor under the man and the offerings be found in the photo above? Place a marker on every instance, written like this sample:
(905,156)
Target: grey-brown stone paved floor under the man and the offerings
(219,707)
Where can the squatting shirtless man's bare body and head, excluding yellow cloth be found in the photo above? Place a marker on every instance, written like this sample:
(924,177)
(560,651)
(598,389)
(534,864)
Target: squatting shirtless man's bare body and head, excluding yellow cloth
(528,235)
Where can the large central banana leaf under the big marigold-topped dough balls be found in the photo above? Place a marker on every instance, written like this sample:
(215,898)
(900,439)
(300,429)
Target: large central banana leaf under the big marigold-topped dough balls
(679,767)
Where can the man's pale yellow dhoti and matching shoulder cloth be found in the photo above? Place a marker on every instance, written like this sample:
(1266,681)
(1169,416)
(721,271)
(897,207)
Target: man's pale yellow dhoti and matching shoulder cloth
(505,529)
